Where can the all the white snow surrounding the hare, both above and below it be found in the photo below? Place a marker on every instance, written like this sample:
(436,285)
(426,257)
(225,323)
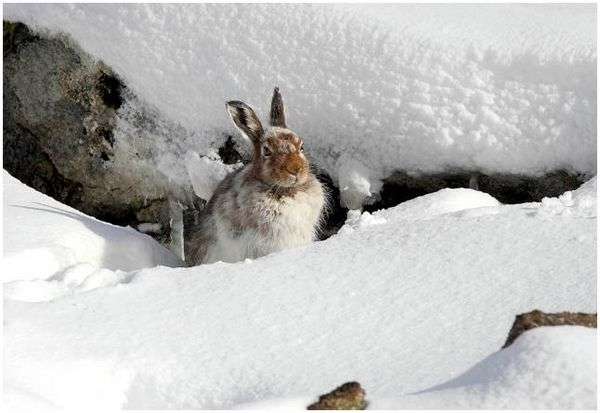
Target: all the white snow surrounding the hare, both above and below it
(414,302)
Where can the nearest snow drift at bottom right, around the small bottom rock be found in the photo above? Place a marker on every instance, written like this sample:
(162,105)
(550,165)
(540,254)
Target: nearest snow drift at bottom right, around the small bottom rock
(546,368)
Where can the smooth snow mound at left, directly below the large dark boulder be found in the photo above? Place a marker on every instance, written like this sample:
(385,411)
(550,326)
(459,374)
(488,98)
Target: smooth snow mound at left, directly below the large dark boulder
(60,247)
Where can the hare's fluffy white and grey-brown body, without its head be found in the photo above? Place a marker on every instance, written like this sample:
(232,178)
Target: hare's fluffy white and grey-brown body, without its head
(245,220)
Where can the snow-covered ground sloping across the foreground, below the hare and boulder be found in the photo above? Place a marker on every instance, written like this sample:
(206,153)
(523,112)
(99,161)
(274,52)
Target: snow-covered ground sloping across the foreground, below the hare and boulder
(413,302)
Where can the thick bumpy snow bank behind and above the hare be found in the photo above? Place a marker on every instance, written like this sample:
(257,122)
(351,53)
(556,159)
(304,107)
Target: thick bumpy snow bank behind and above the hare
(423,88)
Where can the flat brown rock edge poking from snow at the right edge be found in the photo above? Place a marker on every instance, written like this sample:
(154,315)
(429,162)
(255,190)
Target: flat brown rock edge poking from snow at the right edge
(537,318)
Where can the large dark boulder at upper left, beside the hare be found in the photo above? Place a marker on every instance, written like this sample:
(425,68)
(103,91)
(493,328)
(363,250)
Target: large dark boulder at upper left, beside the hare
(61,109)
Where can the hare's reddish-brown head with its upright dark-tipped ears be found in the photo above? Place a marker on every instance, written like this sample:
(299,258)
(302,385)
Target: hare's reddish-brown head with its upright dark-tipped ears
(278,152)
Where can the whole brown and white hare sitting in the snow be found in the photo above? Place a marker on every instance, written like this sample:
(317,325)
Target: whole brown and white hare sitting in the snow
(271,204)
